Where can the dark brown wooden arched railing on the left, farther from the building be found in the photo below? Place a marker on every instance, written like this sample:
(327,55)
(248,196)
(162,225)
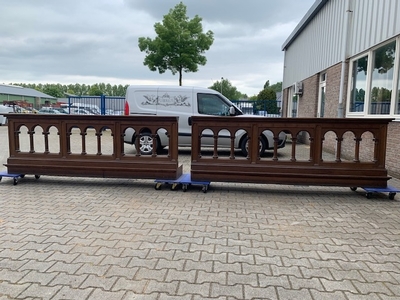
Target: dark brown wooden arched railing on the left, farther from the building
(91,146)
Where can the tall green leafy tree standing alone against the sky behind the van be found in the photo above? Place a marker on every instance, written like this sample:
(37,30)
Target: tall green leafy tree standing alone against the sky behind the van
(179,44)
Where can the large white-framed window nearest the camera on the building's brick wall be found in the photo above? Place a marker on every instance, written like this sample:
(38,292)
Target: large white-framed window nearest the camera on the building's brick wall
(373,82)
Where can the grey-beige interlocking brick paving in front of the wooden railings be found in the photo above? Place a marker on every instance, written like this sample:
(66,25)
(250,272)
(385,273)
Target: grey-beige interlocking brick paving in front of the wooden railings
(89,238)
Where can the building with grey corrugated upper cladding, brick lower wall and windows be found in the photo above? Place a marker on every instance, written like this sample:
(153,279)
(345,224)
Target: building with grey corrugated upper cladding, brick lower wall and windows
(343,60)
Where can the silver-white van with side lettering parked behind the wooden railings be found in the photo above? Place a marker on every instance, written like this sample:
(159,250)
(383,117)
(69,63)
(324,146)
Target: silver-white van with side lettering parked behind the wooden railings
(186,102)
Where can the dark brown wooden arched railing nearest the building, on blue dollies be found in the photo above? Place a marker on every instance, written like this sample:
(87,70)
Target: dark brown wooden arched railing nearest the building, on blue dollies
(314,170)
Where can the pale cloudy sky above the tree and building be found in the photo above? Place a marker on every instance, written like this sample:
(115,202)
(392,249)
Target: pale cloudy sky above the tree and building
(93,41)
